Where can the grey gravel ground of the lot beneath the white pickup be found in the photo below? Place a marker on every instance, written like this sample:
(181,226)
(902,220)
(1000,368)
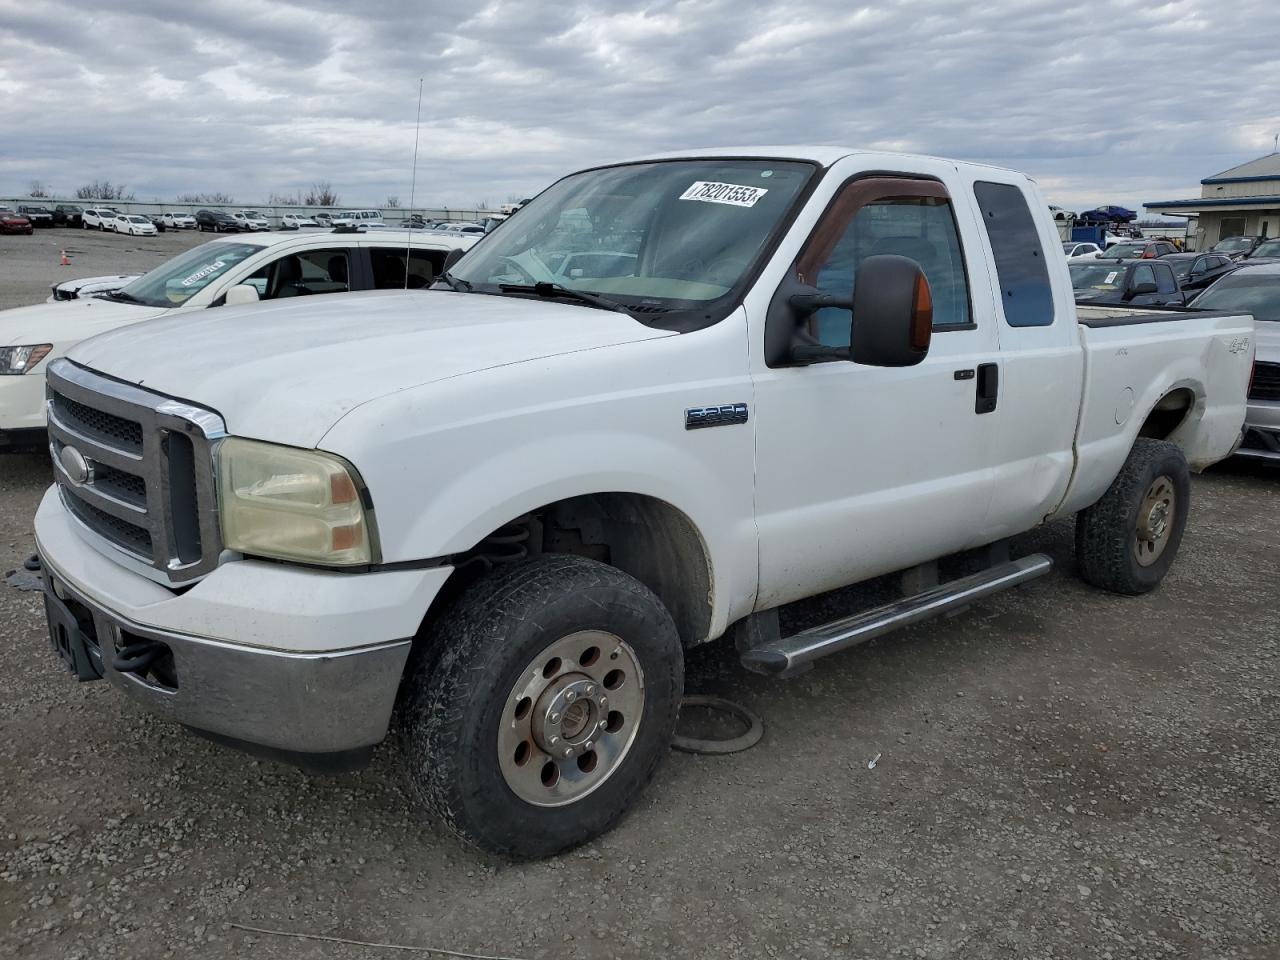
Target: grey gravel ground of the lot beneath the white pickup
(1063,774)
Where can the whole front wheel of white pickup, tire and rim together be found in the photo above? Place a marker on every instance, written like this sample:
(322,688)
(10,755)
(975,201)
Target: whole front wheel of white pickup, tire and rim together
(551,701)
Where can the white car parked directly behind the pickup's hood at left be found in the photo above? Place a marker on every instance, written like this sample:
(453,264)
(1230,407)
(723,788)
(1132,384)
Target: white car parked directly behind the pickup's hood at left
(260,267)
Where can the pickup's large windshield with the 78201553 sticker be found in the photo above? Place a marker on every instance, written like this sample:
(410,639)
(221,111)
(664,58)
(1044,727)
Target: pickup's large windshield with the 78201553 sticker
(655,237)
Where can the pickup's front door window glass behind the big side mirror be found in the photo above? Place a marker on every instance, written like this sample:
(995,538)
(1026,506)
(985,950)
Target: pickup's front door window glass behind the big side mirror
(918,227)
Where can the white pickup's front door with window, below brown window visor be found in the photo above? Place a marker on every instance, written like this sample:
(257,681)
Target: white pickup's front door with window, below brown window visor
(866,470)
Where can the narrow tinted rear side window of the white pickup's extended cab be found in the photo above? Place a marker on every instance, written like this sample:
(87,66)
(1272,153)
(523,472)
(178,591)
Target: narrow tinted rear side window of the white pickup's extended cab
(1016,245)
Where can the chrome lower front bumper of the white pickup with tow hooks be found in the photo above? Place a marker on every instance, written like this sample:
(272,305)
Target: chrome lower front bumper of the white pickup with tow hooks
(316,710)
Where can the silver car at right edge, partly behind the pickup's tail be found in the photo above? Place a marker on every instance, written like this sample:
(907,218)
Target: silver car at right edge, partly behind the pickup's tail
(1256,290)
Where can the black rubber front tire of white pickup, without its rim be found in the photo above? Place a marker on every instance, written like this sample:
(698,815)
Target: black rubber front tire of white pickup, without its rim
(456,697)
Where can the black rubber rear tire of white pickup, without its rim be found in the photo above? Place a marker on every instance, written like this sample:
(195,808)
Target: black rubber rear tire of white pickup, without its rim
(1107,532)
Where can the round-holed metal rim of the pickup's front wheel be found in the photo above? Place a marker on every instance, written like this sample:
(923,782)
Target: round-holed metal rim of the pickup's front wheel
(572,719)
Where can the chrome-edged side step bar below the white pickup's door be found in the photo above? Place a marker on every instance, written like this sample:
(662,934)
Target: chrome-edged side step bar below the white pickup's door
(793,653)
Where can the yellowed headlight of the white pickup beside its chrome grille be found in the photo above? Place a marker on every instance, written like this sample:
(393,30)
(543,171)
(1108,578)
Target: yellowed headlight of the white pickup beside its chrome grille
(294,505)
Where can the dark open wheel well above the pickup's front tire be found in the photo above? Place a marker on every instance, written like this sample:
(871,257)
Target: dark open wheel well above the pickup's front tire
(643,537)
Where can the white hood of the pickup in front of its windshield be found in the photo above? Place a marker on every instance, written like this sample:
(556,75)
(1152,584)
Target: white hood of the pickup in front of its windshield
(289,371)
